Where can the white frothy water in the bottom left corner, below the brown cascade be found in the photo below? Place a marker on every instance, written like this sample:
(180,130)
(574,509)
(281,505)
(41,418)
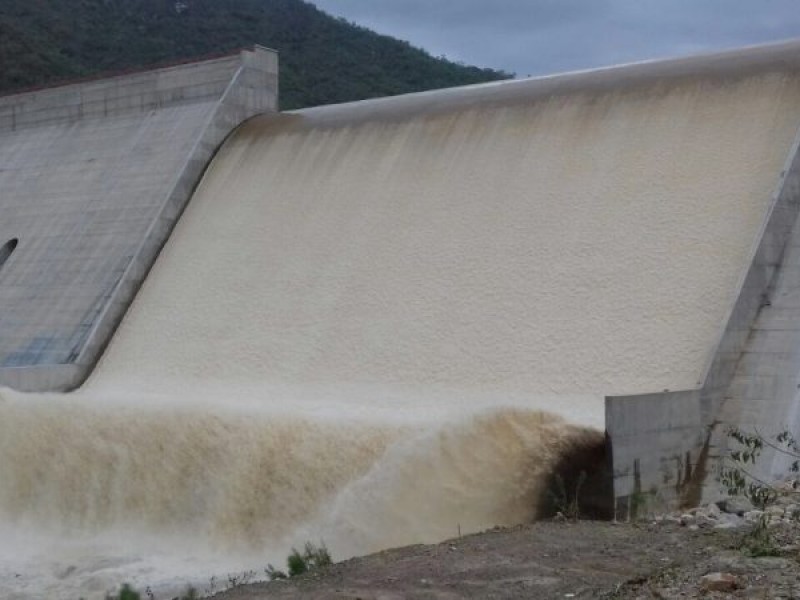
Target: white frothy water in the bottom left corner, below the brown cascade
(36,566)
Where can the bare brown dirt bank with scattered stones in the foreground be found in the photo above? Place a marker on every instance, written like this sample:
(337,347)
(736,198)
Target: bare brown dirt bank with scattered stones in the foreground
(585,559)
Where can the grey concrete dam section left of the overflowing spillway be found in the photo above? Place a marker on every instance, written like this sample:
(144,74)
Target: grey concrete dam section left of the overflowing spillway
(93,178)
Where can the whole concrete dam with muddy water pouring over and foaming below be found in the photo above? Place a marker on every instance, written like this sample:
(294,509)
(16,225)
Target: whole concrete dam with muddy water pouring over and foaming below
(383,322)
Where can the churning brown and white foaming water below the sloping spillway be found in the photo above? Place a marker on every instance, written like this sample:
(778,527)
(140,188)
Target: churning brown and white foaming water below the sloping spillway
(100,491)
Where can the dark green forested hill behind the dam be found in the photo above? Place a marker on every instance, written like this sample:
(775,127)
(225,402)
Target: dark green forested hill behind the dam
(323,59)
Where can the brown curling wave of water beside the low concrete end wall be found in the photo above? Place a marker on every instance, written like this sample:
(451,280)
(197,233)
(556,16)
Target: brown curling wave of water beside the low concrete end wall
(483,470)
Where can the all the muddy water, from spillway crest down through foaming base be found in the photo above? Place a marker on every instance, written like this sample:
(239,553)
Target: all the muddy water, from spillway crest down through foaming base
(377,328)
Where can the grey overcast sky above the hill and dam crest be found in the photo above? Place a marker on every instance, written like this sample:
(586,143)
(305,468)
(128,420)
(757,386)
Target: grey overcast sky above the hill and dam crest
(536,37)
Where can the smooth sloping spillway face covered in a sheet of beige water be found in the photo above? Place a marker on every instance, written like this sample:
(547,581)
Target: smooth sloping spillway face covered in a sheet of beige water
(581,244)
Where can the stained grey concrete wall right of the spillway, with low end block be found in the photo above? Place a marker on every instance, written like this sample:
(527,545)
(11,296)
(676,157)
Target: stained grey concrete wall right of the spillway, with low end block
(665,447)
